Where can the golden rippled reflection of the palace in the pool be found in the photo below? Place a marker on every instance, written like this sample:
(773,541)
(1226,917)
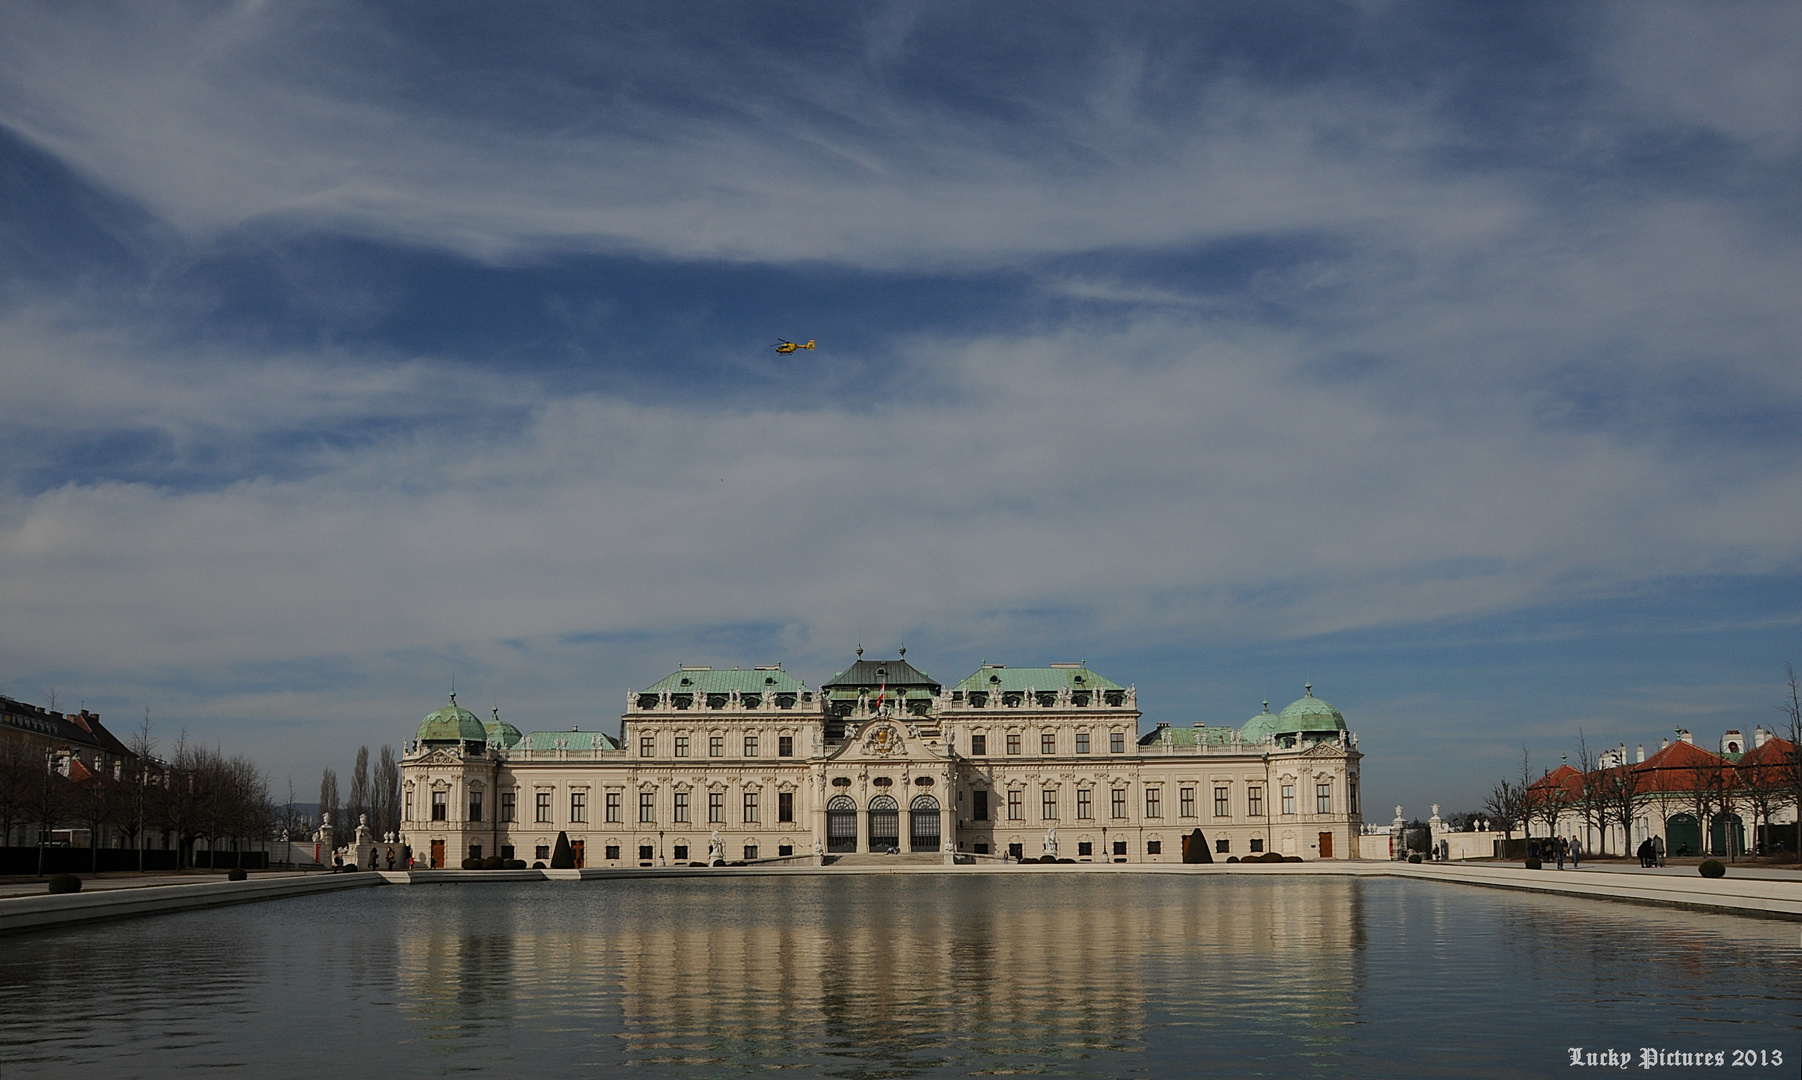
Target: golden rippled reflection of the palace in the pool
(909,969)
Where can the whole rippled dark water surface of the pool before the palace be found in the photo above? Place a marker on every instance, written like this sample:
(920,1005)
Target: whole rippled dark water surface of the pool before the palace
(911,976)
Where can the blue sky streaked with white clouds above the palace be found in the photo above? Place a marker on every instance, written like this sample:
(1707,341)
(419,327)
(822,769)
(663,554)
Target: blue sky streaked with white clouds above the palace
(1441,354)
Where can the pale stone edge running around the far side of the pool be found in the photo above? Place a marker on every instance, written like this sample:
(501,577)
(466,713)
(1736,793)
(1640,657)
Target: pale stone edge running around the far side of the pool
(1749,897)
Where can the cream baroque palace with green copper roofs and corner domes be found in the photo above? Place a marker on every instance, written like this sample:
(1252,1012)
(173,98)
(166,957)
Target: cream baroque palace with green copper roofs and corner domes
(754,765)
